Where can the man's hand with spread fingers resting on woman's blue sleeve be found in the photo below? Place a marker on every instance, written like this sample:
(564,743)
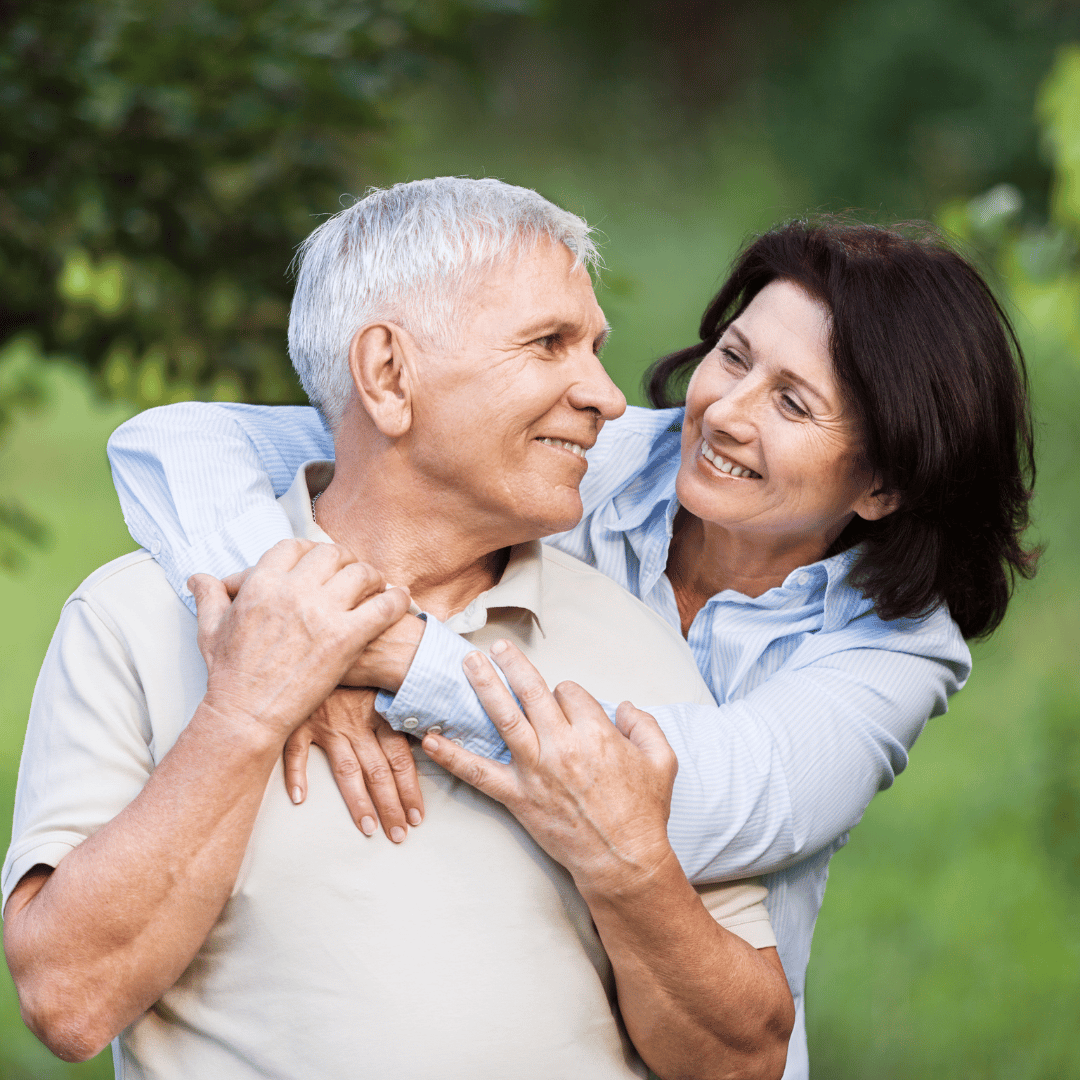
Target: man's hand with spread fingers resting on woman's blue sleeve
(595,795)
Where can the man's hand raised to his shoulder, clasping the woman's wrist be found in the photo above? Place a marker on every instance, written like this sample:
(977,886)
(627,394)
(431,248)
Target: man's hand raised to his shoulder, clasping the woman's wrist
(301,619)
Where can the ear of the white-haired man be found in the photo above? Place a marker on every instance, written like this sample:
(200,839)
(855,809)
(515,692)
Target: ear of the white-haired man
(380,360)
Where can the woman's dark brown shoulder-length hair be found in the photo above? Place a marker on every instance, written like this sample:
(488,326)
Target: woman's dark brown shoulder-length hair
(931,370)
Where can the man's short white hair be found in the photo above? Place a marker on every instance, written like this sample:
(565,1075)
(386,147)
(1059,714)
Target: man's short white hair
(411,255)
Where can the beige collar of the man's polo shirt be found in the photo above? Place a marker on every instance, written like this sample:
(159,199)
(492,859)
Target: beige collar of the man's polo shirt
(521,586)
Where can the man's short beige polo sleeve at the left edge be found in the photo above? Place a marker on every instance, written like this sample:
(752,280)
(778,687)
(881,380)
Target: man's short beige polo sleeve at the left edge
(88,745)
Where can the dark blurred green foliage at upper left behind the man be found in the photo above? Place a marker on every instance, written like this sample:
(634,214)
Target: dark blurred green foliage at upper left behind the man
(161,160)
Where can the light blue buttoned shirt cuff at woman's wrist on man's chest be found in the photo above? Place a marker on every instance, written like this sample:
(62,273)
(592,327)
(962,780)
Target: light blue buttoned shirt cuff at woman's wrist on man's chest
(436,694)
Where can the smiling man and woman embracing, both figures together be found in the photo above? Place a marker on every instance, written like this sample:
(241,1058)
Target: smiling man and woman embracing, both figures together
(749,601)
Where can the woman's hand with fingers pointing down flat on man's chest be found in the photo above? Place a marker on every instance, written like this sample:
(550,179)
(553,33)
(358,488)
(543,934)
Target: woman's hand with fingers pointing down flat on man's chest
(372,764)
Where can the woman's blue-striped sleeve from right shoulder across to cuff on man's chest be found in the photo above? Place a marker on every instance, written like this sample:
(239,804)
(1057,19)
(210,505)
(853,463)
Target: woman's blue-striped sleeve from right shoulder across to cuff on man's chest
(766,780)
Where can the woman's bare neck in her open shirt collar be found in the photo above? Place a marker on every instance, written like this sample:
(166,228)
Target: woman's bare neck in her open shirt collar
(705,560)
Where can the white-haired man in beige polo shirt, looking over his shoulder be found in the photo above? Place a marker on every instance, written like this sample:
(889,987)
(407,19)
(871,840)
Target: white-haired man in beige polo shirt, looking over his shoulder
(163,890)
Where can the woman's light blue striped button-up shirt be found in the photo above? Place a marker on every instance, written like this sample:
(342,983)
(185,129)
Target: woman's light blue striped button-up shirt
(819,700)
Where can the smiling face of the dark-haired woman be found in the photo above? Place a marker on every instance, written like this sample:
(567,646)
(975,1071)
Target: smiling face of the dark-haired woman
(767,449)
